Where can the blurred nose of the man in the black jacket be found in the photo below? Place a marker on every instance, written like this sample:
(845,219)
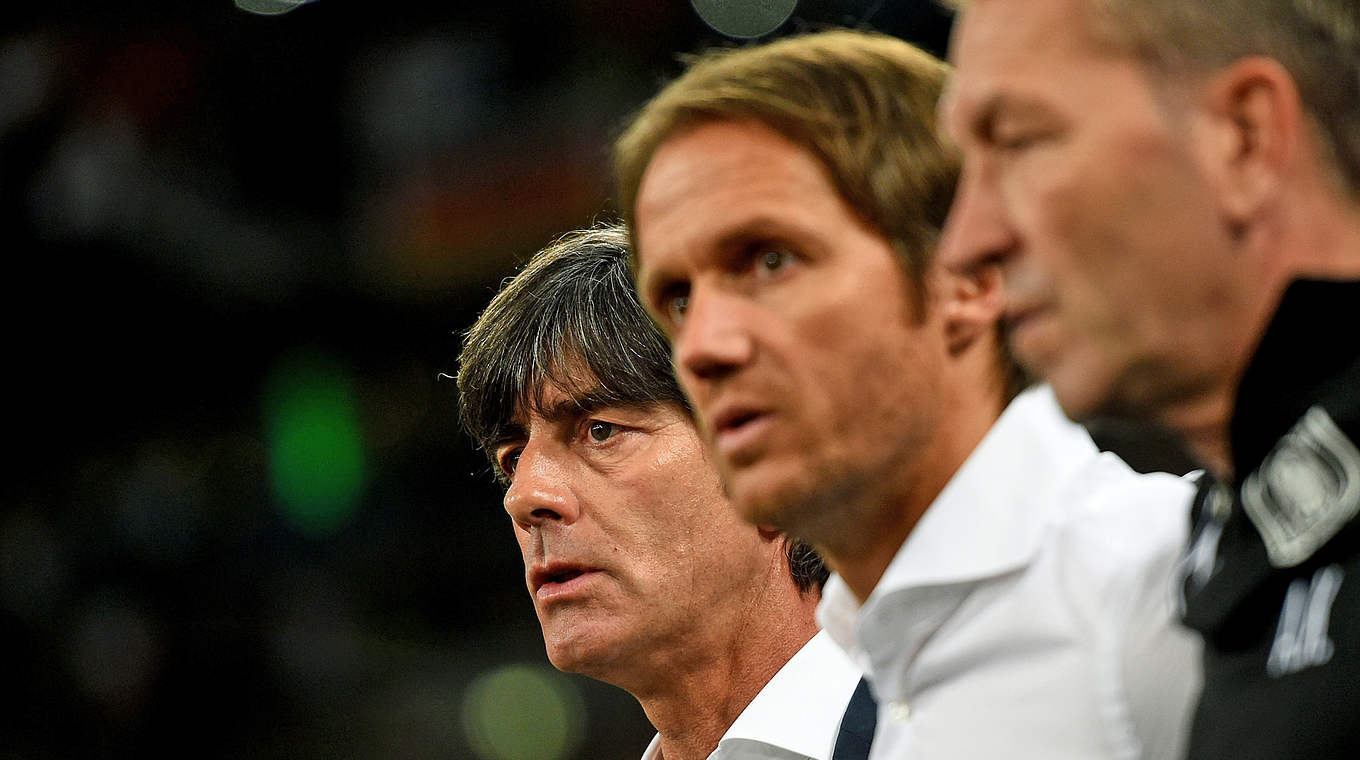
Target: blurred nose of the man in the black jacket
(977,230)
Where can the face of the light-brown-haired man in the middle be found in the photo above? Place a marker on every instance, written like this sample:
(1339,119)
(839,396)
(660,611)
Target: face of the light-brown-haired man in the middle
(795,331)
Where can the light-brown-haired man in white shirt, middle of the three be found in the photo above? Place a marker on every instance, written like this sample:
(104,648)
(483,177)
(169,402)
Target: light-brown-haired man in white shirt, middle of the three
(1007,588)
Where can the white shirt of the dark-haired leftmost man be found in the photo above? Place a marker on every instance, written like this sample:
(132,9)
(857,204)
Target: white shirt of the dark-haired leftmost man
(798,714)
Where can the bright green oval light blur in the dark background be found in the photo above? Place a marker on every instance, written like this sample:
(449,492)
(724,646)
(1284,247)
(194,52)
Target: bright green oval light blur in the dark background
(316,448)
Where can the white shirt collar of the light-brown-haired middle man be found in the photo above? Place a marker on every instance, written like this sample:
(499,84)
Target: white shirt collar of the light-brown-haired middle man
(988,520)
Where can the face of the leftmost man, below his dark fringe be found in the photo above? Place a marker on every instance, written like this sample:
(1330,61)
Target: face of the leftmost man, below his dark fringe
(630,549)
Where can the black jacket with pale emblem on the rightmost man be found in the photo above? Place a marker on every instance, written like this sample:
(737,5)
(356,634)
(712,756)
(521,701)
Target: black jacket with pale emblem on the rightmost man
(1274,573)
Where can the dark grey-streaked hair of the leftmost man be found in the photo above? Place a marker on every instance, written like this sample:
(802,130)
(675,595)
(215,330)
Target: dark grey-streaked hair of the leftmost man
(572,320)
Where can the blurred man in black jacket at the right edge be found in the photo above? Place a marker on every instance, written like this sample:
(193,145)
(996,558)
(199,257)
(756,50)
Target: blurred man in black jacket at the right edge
(1172,190)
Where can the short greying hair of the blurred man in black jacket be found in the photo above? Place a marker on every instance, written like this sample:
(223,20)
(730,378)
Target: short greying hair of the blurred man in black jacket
(1317,41)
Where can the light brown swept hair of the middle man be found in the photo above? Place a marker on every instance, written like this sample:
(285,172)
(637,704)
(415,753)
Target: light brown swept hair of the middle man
(862,103)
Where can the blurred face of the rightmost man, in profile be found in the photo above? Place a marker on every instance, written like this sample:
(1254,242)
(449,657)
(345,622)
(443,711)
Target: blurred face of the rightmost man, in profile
(1082,180)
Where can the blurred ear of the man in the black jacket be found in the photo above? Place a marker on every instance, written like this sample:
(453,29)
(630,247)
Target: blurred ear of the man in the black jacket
(1252,134)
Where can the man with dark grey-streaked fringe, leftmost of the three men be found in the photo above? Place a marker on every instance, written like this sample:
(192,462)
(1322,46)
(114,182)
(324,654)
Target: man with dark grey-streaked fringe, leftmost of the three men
(640,572)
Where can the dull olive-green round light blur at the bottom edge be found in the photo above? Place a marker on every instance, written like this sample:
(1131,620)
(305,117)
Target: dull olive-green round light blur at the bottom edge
(523,713)
